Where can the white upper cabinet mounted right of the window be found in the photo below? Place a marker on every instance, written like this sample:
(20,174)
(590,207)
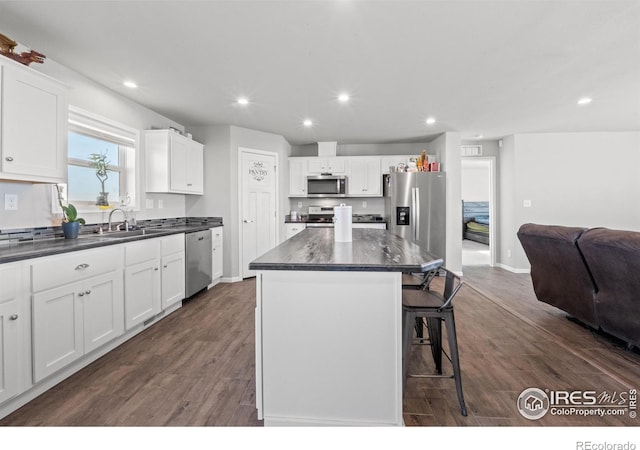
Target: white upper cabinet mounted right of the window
(174,163)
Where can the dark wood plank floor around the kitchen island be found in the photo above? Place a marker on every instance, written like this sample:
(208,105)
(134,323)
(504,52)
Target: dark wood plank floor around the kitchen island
(196,367)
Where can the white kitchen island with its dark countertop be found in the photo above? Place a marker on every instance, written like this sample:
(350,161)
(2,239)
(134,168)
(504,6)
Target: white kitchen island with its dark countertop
(329,328)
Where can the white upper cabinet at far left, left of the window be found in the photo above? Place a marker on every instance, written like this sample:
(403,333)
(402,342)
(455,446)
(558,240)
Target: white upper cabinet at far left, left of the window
(33,125)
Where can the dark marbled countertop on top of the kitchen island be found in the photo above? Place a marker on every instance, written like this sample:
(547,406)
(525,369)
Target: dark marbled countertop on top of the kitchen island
(371,250)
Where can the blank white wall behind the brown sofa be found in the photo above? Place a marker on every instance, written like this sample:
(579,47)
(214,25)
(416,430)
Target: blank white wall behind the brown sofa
(572,179)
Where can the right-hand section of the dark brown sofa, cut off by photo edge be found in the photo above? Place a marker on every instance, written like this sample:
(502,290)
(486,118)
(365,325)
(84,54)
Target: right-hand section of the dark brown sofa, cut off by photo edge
(613,256)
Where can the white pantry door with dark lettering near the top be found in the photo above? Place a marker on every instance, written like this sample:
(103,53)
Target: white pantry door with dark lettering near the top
(258,207)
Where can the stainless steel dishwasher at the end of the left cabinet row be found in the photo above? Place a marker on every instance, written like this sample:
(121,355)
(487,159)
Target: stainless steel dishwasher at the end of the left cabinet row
(199,258)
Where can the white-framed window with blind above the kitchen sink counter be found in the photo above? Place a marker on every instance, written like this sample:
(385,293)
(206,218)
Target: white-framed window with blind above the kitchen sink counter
(90,135)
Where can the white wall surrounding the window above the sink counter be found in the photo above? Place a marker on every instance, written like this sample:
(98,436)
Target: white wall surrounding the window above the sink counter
(34,200)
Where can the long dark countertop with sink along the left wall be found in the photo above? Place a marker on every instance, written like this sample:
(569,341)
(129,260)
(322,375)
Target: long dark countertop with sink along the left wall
(17,251)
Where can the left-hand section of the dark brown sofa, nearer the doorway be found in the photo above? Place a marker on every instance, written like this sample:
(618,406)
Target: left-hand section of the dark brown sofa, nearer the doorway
(558,271)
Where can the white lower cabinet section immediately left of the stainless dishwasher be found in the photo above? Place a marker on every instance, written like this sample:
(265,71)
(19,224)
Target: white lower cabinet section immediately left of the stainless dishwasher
(173,270)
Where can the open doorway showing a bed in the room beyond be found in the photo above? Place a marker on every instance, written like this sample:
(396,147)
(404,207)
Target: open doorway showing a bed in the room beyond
(478,214)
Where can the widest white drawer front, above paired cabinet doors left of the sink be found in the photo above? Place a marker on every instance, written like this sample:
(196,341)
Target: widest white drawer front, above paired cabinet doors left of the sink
(71,267)
